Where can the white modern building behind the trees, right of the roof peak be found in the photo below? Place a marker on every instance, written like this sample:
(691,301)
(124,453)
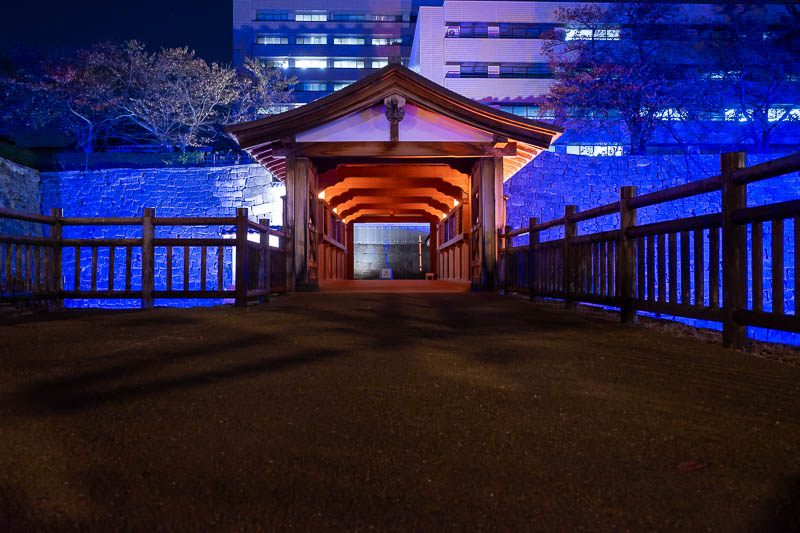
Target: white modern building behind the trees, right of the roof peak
(492,52)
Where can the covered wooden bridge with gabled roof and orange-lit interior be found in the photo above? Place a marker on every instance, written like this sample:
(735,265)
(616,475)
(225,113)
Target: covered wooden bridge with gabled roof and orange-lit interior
(394,147)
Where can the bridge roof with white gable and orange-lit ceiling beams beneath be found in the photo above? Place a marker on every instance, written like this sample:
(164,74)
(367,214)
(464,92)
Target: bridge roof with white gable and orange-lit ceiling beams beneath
(417,166)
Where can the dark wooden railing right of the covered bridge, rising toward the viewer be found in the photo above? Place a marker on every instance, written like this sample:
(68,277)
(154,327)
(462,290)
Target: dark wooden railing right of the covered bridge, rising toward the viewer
(649,267)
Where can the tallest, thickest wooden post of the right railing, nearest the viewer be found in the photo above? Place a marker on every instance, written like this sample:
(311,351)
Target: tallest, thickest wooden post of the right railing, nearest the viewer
(734,252)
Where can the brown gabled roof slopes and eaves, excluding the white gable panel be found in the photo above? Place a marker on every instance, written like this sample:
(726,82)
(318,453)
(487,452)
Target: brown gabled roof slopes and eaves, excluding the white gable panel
(258,136)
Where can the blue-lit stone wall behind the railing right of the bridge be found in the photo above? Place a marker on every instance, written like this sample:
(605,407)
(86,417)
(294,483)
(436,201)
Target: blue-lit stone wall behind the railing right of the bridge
(552,180)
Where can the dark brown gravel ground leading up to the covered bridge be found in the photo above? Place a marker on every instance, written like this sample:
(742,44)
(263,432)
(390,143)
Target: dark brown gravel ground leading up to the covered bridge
(390,412)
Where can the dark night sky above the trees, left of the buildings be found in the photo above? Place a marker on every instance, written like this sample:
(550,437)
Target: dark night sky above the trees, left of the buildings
(203,25)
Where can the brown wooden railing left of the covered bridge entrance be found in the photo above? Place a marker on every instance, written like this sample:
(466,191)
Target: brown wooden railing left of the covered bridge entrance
(33,266)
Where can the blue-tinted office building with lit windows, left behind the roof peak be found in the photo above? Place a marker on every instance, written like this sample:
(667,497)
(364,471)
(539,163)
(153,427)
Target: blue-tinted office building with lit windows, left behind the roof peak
(326,45)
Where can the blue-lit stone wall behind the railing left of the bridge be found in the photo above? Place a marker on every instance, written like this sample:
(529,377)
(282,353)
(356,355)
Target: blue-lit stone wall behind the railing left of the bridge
(192,192)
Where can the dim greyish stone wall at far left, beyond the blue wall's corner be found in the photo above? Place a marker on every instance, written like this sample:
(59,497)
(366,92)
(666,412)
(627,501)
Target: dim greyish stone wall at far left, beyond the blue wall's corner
(19,189)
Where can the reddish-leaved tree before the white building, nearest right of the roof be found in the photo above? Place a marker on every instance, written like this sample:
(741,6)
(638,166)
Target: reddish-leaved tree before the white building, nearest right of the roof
(627,62)
